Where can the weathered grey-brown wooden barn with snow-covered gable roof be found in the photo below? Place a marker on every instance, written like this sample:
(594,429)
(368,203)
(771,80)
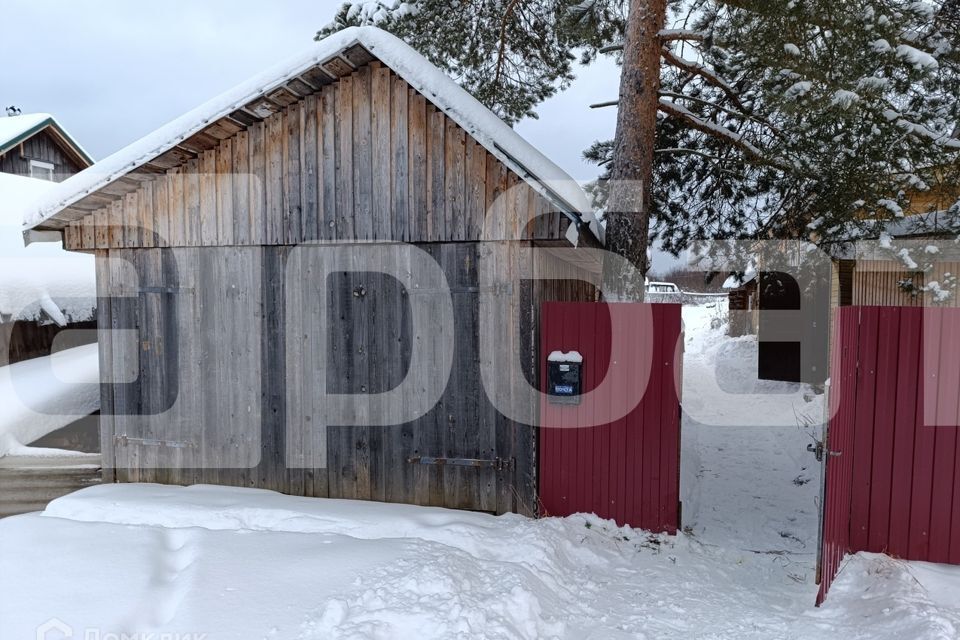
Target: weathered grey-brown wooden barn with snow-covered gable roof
(216,342)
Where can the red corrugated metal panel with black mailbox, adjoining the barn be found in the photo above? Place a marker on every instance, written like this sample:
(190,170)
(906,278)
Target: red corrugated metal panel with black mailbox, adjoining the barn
(622,467)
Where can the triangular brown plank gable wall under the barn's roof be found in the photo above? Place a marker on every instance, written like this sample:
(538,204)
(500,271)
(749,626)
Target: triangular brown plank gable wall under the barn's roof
(366,158)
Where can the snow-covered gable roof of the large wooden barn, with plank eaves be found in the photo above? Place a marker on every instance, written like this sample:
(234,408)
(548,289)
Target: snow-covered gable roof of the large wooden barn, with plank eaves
(335,56)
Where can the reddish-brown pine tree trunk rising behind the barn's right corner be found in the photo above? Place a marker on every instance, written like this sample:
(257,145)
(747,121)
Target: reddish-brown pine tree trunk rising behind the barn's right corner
(631,176)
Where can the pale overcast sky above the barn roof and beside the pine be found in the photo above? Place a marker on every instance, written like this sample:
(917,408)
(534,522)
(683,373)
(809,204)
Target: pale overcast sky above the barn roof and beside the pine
(112,71)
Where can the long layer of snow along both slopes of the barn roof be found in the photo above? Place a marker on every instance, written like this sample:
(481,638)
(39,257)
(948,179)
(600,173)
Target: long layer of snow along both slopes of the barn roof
(489,130)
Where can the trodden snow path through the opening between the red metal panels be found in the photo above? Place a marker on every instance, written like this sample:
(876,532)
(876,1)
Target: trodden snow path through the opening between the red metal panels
(748,481)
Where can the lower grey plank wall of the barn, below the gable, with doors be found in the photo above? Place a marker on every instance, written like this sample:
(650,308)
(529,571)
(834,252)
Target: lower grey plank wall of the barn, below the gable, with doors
(228,351)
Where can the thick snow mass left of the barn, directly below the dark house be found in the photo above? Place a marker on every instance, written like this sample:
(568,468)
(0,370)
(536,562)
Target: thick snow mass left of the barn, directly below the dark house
(42,281)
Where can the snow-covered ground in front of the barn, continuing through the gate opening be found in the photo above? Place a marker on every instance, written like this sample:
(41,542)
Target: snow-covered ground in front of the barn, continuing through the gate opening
(248,564)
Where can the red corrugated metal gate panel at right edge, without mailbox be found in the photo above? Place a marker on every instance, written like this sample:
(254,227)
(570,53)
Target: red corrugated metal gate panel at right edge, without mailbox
(893,479)
